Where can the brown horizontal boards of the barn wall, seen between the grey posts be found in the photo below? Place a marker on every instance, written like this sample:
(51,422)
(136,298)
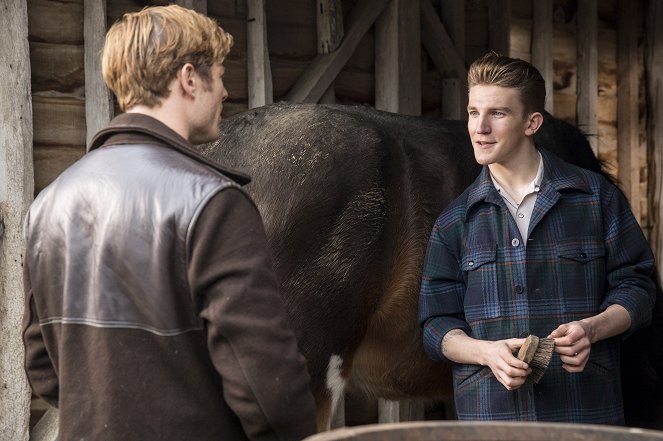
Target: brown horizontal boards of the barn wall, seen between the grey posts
(57,56)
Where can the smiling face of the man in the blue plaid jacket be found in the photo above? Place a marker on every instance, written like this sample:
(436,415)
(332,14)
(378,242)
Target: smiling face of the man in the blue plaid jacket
(497,124)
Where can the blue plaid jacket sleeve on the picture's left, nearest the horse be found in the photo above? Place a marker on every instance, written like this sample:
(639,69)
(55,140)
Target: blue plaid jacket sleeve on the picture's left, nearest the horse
(441,305)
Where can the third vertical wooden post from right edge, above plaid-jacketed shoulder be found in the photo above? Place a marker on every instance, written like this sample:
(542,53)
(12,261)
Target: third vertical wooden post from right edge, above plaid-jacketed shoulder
(587,69)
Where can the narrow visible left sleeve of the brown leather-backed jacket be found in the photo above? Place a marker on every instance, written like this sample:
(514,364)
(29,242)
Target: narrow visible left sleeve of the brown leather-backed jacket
(38,366)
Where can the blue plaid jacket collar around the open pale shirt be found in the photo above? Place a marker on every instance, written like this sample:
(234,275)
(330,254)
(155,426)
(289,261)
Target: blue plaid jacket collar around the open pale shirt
(556,175)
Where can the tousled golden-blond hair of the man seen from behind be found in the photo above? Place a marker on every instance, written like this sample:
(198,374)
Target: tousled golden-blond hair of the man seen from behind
(144,50)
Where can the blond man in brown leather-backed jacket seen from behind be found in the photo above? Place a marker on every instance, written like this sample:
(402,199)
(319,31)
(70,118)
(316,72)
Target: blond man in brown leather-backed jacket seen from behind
(152,310)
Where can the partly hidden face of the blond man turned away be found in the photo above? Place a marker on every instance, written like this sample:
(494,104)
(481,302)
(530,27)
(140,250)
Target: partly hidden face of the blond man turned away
(209,105)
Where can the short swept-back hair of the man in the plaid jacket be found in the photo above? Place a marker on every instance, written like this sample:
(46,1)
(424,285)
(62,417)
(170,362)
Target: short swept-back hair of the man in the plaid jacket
(493,69)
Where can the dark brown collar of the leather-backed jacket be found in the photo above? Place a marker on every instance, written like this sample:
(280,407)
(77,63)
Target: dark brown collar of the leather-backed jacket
(137,128)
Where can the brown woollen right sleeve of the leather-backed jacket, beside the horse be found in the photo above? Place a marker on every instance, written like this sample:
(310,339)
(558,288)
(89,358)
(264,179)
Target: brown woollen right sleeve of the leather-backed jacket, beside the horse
(265,378)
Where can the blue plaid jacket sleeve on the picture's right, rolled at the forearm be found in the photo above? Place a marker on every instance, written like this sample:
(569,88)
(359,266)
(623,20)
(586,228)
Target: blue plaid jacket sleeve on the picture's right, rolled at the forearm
(629,263)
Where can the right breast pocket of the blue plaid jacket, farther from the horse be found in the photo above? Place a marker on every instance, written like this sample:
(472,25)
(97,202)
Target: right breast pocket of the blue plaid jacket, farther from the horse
(582,272)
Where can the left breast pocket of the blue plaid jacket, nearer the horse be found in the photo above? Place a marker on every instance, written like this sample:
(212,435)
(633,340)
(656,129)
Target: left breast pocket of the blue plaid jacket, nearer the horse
(481,294)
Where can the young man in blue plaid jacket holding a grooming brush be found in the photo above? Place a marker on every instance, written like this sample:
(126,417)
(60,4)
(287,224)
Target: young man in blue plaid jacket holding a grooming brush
(534,246)
